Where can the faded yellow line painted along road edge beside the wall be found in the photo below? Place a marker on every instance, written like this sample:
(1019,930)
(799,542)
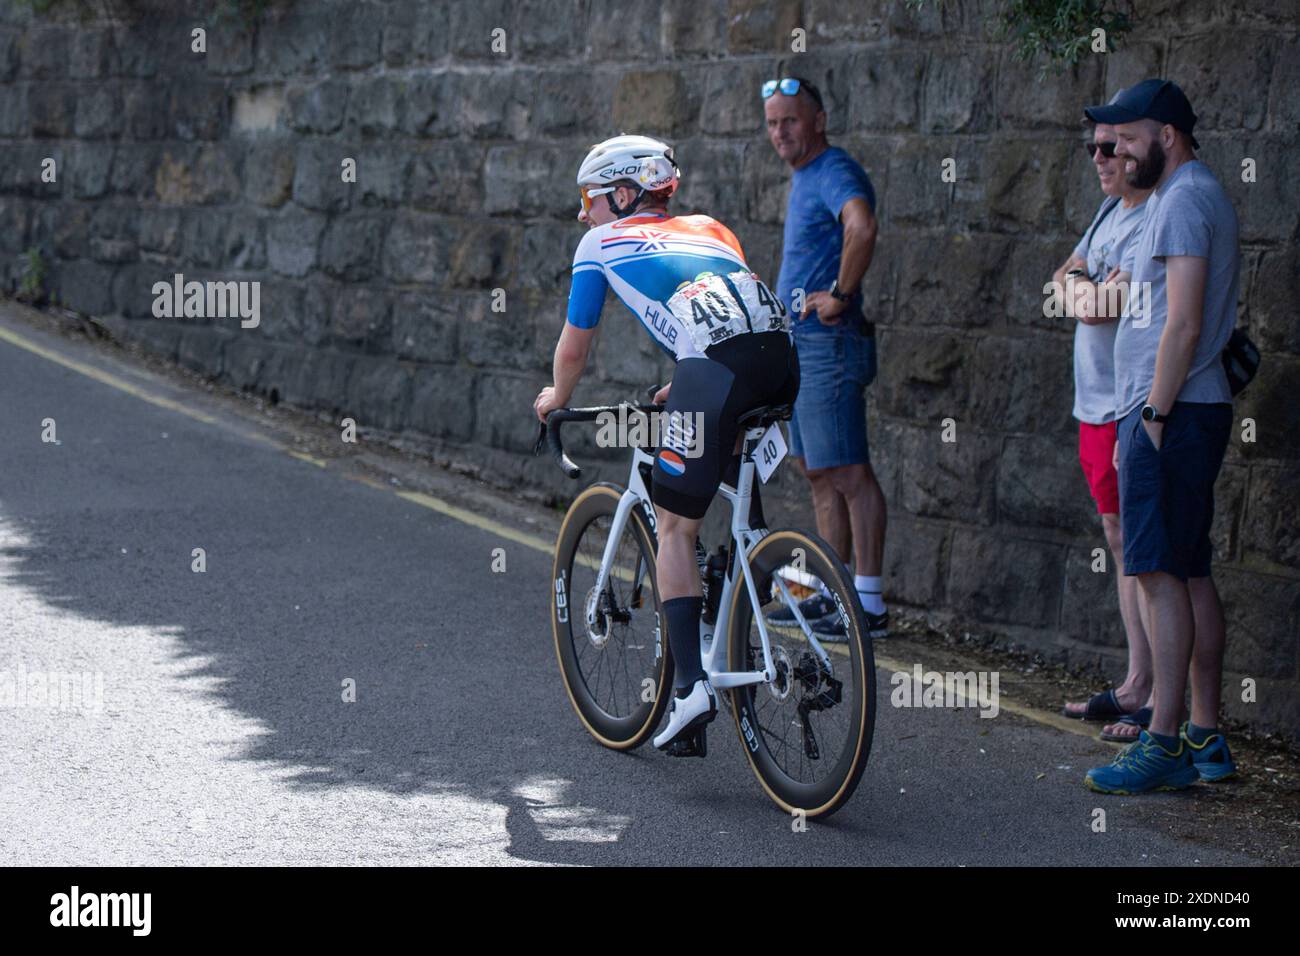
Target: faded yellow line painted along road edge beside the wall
(439,505)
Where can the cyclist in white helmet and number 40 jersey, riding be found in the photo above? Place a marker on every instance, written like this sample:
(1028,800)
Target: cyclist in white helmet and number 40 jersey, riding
(686,280)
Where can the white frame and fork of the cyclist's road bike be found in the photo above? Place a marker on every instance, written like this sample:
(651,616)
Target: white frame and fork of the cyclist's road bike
(712,652)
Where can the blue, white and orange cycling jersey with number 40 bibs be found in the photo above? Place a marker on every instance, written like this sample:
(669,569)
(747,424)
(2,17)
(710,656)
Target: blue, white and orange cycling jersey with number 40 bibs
(684,278)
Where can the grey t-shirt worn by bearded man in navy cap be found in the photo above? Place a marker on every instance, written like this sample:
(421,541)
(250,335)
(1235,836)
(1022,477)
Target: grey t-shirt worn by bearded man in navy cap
(1189,217)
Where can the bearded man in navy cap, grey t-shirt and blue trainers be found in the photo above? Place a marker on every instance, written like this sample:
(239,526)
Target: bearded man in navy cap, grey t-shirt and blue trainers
(1175,410)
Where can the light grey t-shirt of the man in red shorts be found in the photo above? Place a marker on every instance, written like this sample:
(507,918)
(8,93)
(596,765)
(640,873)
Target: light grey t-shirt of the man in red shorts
(1103,248)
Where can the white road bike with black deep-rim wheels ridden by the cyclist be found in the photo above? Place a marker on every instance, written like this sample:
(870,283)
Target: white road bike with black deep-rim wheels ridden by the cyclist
(804,707)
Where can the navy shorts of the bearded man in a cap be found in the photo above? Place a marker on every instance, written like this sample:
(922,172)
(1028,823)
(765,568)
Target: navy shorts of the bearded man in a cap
(1167,498)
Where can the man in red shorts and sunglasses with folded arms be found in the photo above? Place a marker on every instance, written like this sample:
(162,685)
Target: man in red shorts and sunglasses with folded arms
(1087,297)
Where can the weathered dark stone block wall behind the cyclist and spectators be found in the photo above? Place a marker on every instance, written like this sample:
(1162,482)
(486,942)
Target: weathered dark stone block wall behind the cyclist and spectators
(376,296)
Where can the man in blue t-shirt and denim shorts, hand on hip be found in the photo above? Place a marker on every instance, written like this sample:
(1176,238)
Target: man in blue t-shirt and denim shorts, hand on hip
(830,236)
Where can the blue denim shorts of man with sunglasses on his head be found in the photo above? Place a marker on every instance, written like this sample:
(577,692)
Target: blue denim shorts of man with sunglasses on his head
(830,425)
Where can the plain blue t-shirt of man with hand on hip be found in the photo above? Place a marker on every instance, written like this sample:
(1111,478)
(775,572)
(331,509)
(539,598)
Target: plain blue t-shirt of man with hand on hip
(814,236)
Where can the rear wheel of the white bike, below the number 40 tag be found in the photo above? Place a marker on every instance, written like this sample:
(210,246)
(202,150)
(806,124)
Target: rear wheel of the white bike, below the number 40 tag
(808,734)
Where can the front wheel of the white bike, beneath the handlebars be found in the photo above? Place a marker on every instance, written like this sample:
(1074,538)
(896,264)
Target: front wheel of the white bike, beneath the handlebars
(610,644)
